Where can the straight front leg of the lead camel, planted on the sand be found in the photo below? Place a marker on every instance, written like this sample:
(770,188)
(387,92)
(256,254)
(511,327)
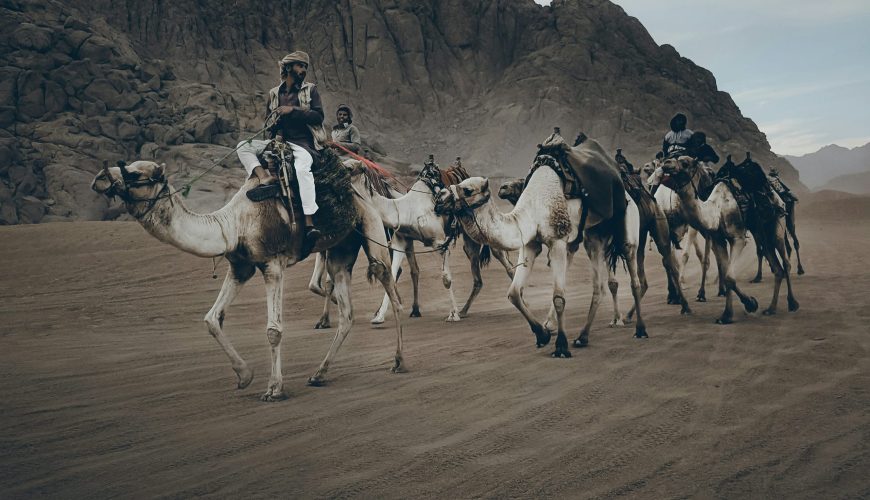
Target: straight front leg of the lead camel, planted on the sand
(273,274)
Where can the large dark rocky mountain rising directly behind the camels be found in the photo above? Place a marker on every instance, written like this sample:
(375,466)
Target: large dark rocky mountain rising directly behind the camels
(87,81)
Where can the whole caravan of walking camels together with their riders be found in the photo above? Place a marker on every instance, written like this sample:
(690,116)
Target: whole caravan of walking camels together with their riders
(308,194)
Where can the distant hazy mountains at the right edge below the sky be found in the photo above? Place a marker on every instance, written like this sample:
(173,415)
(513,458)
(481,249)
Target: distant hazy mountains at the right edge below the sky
(830,162)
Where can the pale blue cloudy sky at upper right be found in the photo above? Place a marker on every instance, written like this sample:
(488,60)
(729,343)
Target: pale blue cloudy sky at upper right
(799,68)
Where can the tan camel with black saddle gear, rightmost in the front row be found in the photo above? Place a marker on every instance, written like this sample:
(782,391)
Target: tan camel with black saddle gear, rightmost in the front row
(720,221)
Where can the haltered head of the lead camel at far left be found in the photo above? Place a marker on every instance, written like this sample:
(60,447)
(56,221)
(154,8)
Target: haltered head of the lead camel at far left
(139,184)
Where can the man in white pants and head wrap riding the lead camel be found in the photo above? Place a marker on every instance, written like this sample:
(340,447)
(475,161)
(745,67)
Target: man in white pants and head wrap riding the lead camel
(295,113)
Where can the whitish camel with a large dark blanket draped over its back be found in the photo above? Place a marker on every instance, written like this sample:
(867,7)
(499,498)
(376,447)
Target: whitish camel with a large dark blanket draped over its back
(543,216)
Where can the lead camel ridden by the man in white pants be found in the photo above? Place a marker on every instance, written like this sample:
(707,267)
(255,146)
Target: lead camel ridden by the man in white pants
(254,236)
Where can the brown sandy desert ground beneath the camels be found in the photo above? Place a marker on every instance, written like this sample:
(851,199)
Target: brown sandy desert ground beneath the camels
(112,387)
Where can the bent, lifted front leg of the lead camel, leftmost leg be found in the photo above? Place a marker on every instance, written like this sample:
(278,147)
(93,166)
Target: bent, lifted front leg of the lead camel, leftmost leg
(237,275)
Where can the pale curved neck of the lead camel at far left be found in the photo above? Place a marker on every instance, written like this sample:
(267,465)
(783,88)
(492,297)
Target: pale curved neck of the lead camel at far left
(204,235)
